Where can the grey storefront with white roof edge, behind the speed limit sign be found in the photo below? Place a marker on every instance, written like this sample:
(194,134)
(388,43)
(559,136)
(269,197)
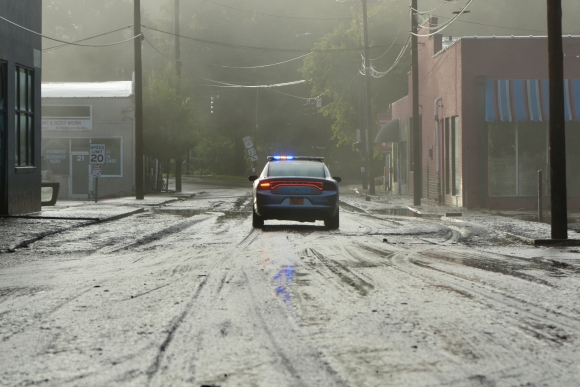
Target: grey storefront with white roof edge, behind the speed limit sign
(76,115)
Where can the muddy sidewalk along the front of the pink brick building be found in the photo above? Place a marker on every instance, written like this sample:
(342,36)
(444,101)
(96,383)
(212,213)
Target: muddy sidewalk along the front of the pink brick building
(521,225)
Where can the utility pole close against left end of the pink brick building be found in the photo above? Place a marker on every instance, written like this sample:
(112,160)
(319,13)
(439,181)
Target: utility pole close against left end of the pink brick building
(416,129)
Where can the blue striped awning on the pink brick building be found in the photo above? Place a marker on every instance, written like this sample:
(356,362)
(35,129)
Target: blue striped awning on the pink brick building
(528,100)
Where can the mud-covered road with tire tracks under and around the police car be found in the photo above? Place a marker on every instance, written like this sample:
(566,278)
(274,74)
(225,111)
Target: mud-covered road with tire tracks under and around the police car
(189,294)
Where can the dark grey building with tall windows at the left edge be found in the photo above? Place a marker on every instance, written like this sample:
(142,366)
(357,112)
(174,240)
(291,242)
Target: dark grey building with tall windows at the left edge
(20,63)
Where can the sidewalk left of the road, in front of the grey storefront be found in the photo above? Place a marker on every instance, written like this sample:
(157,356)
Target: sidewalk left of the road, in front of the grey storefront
(21,230)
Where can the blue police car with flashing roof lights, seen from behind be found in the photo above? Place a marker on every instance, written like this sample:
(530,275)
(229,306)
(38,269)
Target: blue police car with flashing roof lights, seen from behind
(296,188)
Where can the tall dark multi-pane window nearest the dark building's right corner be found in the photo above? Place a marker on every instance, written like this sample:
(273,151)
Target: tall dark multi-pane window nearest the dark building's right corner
(24,114)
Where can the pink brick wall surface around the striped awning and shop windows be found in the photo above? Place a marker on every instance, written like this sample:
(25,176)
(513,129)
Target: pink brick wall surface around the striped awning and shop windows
(452,75)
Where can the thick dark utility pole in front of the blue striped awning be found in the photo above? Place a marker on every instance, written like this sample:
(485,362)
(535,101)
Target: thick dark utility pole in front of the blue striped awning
(557,122)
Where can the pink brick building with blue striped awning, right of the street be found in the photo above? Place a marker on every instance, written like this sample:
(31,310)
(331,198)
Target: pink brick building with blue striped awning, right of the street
(484,111)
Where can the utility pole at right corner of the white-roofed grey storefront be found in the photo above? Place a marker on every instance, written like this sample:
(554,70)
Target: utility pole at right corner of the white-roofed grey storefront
(139,170)
